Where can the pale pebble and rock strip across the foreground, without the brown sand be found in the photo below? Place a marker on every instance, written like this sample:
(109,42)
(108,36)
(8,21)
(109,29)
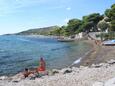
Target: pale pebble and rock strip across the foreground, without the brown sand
(102,74)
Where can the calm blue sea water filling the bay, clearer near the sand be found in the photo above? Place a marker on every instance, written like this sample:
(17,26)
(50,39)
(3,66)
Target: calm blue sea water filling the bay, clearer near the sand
(19,52)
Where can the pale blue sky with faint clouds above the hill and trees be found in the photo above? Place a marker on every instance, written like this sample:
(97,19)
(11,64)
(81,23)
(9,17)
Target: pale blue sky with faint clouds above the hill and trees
(20,15)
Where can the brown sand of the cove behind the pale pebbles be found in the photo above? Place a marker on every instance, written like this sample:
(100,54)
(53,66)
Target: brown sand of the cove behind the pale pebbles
(98,54)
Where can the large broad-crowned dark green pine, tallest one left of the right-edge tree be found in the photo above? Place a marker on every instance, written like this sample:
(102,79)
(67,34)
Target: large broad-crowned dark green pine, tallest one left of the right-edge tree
(89,22)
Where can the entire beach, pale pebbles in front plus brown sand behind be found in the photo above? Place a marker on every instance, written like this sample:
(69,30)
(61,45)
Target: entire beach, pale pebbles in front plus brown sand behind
(97,68)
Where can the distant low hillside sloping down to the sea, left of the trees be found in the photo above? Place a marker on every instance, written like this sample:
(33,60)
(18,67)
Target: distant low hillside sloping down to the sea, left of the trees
(38,31)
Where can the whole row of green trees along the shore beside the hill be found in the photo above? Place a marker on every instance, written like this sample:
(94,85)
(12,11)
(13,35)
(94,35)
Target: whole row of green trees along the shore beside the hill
(89,23)
